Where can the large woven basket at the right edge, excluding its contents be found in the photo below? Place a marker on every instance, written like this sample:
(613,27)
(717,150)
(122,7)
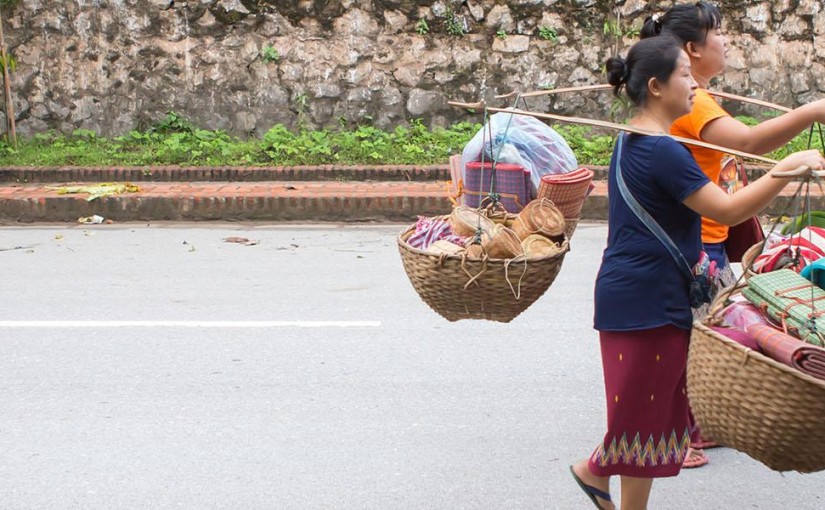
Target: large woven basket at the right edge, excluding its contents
(749,402)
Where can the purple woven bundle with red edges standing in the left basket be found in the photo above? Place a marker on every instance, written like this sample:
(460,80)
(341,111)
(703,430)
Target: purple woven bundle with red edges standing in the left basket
(512,184)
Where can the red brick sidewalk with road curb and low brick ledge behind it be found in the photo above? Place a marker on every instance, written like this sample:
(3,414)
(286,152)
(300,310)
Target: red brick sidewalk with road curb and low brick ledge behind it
(310,193)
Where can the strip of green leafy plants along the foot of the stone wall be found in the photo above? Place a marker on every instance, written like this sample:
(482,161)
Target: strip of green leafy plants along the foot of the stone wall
(175,140)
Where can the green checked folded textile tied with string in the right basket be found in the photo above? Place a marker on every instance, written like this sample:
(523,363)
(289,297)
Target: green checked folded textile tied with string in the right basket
(791,300)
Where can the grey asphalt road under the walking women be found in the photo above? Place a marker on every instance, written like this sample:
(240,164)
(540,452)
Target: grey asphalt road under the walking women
(300,372)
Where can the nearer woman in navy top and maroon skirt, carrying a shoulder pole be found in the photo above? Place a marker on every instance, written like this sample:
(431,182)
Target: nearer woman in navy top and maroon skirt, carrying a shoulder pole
(642,309)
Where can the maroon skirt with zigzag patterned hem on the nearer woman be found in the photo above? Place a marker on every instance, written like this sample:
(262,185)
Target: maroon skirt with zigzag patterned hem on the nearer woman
(648,418)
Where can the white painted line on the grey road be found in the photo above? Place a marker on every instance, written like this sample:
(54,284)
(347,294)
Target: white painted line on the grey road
(190,324)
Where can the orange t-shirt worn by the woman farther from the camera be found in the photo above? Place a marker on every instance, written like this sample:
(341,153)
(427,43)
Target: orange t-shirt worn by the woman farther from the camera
(705,109)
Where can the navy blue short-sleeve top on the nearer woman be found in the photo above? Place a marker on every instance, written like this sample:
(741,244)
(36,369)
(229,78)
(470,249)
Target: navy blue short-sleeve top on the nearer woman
(639,285)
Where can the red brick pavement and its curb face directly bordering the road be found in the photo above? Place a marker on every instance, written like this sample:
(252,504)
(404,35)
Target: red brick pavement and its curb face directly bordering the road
(267,201)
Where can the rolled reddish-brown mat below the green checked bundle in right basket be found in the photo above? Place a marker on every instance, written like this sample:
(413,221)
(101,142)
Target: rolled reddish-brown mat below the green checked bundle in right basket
(790,351)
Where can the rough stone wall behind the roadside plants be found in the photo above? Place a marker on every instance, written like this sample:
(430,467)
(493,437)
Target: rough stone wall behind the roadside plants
(244,65)
